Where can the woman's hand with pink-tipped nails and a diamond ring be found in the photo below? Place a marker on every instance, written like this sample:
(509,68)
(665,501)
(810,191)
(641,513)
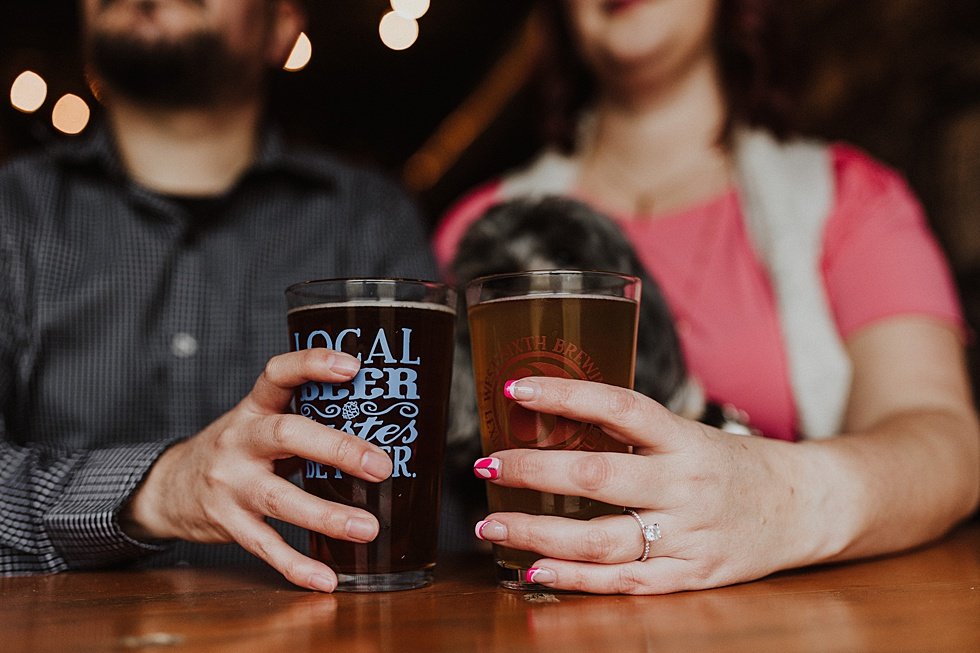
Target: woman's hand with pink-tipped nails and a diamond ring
(727,506)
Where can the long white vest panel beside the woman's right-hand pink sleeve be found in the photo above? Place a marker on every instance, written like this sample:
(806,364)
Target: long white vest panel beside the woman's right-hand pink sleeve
(786,192)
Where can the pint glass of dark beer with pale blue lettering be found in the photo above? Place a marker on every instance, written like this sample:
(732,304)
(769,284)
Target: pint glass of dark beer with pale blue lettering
(402,332)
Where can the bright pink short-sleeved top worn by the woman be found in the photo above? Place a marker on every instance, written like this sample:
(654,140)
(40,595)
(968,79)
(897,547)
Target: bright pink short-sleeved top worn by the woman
(879,259)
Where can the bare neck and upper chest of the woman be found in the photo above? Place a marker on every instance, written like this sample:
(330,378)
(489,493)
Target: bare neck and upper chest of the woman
(659,148)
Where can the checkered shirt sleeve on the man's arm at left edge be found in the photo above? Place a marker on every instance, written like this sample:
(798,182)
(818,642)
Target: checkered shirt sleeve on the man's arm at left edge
(58,507)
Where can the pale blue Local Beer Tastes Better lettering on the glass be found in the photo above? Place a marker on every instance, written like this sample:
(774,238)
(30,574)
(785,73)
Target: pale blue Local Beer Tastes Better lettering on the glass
(380,405)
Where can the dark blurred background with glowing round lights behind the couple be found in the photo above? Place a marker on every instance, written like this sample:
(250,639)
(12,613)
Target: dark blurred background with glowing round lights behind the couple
(445,105)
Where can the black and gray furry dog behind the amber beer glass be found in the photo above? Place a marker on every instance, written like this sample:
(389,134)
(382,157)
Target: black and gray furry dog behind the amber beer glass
(548,234)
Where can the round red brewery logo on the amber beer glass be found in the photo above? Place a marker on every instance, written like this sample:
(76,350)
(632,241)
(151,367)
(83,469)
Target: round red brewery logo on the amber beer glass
(536,356)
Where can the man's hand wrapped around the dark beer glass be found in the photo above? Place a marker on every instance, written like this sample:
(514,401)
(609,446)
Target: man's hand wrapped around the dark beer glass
(220,485)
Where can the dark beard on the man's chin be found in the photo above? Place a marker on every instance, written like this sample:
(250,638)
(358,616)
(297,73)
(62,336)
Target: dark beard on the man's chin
(197,71)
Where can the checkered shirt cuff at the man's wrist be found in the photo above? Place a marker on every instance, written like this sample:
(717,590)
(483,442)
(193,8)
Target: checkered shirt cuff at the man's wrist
(84,524)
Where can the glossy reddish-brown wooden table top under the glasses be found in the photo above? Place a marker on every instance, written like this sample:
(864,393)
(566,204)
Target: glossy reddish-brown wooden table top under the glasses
(925,600)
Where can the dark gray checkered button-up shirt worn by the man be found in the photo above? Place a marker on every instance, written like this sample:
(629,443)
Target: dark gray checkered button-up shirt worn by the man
(128,322)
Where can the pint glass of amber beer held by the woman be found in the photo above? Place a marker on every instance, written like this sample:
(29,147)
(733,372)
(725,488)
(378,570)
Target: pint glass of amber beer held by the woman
(568,324)
